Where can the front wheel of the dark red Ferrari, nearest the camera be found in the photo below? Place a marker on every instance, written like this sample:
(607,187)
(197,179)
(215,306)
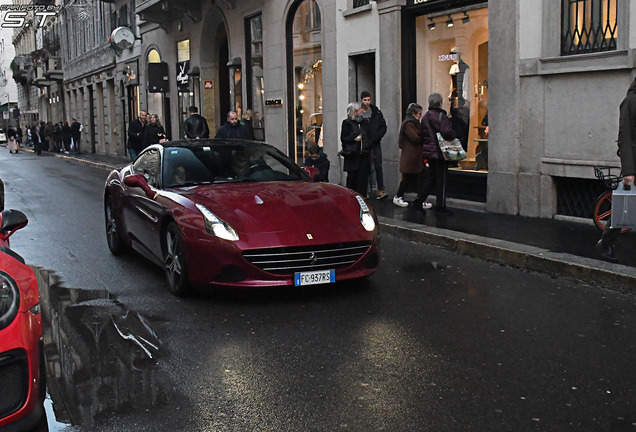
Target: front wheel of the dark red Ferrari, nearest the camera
(175,262)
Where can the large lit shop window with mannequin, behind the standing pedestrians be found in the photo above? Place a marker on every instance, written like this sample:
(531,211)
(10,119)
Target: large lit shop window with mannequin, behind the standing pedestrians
(452,59)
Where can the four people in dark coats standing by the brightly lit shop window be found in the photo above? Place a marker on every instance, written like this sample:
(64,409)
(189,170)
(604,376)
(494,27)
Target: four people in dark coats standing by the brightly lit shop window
(361,136)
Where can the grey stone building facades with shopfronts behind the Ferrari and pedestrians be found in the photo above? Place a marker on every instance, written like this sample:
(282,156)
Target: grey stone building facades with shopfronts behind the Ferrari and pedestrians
(524,115)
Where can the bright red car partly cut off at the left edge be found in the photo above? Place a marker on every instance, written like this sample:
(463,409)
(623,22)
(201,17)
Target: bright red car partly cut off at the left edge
(22,377)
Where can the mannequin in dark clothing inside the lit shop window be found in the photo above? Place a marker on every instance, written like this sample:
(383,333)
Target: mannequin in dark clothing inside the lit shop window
(460,98)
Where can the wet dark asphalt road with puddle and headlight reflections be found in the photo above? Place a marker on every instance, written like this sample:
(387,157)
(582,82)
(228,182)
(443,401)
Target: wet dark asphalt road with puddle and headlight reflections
(432,342)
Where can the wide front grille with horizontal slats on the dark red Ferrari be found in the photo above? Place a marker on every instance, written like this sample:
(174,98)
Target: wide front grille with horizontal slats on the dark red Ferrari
(287,260)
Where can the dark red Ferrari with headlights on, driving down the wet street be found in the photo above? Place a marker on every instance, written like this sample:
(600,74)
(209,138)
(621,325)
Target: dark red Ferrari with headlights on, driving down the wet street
(237,213)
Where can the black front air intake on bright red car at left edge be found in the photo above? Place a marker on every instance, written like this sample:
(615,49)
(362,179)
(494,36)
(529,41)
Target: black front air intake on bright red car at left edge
(14,376)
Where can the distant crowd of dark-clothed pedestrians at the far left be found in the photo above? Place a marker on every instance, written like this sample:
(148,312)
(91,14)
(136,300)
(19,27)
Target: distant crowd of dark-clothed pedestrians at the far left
(58,137)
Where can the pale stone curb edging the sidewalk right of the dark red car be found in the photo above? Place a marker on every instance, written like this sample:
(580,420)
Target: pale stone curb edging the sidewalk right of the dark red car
(602,274)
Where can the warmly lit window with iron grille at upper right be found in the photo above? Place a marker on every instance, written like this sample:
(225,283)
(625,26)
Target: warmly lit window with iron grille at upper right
(588,26)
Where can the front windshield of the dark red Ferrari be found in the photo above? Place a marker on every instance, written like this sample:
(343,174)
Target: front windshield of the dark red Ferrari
(227,162)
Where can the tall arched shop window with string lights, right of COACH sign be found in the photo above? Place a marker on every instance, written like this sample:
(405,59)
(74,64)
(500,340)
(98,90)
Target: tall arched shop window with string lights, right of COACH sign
(305,43)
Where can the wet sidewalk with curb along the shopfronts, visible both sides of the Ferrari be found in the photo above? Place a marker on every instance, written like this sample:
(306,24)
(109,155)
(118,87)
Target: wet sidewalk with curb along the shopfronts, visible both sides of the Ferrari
(560,248)
